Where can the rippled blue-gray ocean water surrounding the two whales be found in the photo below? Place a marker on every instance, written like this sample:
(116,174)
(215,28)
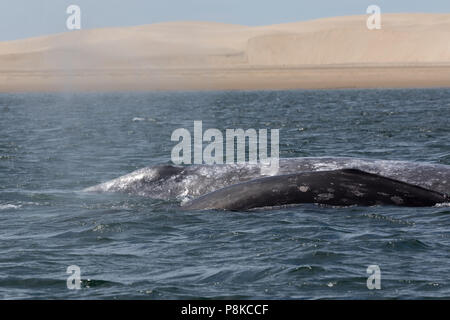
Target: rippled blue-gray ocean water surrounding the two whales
(52,146)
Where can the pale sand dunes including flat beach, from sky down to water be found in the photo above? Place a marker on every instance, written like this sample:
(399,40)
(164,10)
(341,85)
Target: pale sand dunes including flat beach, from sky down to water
(411,50)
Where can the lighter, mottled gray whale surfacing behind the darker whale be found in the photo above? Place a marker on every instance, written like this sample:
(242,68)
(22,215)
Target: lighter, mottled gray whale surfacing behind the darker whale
(189,182)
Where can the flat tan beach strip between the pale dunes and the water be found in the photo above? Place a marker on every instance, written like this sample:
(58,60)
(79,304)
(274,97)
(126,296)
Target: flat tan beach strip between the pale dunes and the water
(229,79)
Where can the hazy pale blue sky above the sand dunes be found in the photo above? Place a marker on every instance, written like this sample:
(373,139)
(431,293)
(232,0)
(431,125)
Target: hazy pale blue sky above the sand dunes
(28,18)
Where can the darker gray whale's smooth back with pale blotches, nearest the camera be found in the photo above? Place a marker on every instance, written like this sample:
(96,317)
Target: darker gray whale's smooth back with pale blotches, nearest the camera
(336,188)
